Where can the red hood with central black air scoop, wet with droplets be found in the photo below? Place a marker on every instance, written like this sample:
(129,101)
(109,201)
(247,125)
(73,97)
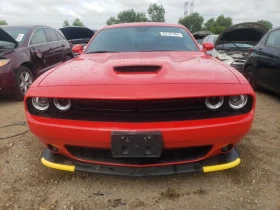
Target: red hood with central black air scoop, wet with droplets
(159,68)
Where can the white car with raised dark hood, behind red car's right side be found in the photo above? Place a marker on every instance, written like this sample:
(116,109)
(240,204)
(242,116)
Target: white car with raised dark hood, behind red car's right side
(234,44)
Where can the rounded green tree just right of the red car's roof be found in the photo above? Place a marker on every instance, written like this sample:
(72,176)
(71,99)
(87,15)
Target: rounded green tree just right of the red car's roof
(193,22)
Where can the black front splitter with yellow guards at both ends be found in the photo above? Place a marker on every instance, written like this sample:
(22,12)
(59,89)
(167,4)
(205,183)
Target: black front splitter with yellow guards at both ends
(216,163)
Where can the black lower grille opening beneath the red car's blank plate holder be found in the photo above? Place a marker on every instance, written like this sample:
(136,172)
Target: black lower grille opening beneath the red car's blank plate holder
(168,155)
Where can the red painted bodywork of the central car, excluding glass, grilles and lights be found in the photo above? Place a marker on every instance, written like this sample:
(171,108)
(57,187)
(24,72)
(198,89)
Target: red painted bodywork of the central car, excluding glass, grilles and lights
(91,76)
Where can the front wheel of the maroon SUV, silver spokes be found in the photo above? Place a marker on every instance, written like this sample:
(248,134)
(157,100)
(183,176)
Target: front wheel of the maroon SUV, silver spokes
(24,79)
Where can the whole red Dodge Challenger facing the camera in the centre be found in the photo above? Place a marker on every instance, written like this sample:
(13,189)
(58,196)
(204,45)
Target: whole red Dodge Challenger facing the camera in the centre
(141,100)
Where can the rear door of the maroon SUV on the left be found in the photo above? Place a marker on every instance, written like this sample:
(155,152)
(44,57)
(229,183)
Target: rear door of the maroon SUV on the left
(56,46)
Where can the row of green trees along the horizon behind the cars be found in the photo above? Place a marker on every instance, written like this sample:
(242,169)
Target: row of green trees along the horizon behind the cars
(156,13)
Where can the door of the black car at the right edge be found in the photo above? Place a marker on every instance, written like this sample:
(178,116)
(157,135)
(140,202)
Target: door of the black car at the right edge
(269,61)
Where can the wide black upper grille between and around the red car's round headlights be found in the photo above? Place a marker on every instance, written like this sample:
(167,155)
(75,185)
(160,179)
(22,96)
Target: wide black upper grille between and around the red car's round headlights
(139,110)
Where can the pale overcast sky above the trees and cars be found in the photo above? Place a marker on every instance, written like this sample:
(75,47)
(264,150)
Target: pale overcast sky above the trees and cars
(94,13)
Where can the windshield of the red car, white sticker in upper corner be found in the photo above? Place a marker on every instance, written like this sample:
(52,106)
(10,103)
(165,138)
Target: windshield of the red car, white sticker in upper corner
(142,39)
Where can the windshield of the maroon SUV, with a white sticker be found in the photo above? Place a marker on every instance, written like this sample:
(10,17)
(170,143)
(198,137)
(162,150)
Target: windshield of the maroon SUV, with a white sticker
(18,33)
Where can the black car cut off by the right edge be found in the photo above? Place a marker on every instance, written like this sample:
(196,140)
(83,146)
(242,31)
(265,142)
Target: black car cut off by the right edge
(262,67)
